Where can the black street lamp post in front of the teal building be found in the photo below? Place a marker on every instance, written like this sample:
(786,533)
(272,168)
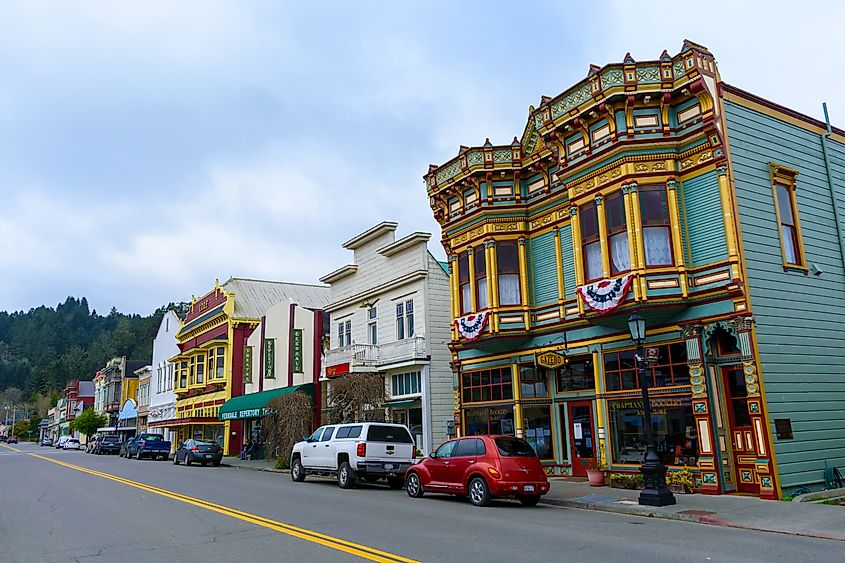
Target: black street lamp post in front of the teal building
(655,493)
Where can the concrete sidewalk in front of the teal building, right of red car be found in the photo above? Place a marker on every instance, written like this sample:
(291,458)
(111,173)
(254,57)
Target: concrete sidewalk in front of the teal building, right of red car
(796,518)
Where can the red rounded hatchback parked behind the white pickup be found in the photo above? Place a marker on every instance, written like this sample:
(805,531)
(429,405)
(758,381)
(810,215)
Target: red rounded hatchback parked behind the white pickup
(481,467)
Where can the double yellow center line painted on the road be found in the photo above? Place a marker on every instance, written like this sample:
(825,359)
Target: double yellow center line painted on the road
(358,550)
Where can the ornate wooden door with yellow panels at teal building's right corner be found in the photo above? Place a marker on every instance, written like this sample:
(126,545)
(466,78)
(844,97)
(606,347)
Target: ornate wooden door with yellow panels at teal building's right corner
(741,430)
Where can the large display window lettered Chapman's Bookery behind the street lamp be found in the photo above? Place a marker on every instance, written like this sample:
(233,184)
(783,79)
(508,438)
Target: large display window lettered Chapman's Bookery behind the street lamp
(673,426)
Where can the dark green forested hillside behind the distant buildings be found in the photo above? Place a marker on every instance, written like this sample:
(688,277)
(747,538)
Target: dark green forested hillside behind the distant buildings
(43,348)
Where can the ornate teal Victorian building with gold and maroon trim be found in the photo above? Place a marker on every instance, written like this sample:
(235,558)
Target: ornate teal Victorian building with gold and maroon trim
(654,187)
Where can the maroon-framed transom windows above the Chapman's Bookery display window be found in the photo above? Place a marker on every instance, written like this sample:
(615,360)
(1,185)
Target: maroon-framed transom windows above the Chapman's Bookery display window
(671,369)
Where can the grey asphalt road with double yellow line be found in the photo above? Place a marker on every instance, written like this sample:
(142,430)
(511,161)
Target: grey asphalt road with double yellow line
(81,507)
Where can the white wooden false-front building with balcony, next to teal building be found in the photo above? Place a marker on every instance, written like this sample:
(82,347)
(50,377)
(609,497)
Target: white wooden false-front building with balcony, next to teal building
(390,315)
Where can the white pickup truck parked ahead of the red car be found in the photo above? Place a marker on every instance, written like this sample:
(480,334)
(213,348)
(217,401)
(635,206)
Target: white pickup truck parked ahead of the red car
(365,450)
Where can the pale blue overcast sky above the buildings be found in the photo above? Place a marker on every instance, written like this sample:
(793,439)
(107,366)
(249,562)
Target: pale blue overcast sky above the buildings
(147,148)
